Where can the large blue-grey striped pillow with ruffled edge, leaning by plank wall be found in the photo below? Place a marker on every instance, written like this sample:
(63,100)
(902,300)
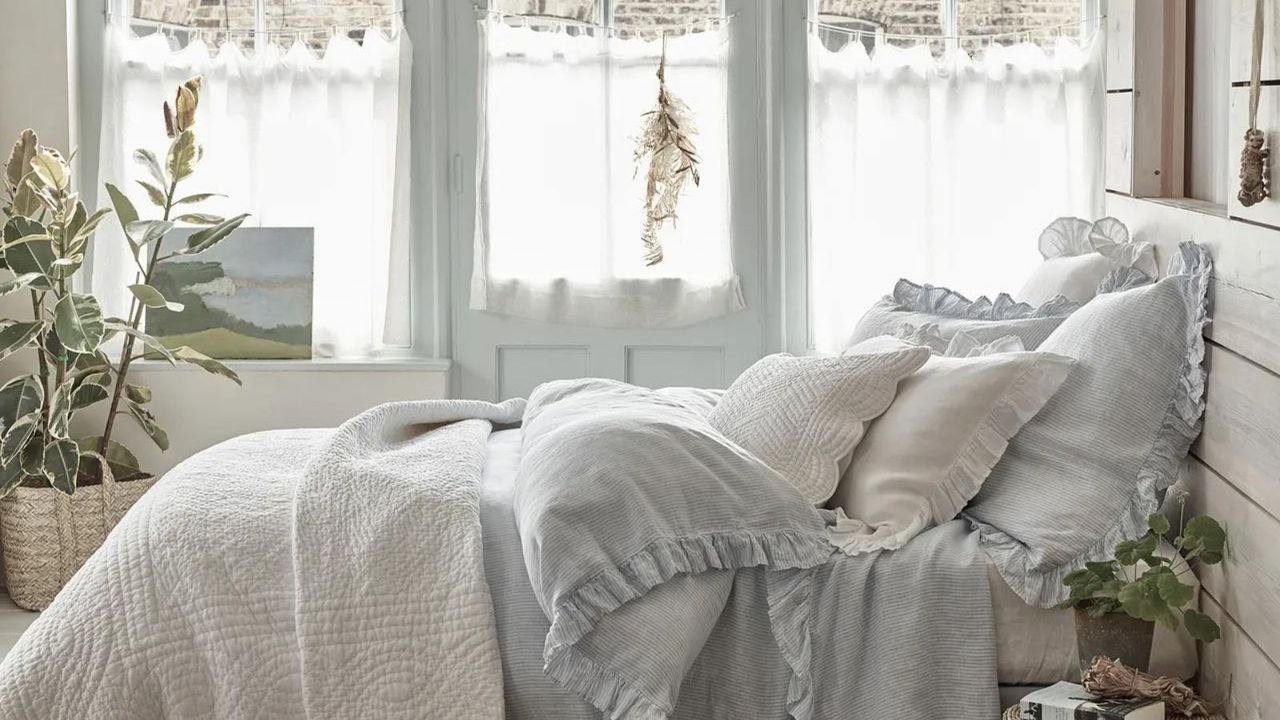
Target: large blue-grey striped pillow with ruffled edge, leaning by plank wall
(1087,471)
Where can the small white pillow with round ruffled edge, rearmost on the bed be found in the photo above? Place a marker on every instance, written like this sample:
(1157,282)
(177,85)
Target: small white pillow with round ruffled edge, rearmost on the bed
(1081,256)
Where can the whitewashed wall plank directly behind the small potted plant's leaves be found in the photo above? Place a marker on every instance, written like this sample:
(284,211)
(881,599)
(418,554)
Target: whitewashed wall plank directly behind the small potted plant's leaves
(1247,584)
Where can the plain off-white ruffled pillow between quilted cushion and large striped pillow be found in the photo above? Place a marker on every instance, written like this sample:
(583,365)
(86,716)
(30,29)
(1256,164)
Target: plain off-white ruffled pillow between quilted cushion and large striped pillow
(927,457)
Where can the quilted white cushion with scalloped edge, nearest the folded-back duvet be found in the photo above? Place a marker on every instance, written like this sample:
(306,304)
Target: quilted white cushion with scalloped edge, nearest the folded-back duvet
(803,417)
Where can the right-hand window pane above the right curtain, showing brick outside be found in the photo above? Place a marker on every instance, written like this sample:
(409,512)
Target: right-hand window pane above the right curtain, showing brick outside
(1044,20)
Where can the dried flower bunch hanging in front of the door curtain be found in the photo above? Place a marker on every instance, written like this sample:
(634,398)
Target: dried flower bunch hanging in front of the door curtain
(666,140)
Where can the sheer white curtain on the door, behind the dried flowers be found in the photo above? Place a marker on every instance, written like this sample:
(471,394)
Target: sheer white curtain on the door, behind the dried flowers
(561,203)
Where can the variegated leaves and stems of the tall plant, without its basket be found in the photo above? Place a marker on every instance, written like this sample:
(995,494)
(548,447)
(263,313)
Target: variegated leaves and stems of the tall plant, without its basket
(47,234)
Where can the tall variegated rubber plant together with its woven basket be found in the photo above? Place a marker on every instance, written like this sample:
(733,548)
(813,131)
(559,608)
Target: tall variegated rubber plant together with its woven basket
(49,528)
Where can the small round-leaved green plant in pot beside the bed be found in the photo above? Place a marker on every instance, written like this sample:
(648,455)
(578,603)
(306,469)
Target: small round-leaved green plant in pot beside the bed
(1119,601)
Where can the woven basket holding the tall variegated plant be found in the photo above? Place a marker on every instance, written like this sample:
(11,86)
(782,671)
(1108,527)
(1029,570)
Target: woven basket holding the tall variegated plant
(48,536)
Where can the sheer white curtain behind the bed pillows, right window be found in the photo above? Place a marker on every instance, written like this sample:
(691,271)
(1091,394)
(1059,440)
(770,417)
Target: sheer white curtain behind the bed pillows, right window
(944,171)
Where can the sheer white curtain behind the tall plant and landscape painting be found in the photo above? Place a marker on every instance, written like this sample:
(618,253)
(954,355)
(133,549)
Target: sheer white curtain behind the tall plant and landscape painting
(296,139)
